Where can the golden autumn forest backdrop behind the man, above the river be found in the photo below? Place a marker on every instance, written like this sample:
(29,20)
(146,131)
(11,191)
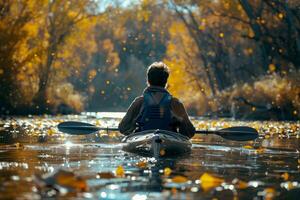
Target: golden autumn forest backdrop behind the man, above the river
(228,58)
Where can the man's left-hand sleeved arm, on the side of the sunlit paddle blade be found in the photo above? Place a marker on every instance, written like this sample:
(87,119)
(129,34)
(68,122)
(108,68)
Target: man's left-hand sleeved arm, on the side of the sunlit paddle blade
(127,124)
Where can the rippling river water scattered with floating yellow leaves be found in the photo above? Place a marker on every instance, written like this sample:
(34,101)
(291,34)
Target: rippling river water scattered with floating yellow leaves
(37,161)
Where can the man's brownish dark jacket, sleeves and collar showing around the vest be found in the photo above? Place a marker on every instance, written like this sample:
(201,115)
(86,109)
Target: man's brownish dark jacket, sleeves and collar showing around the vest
(178,112)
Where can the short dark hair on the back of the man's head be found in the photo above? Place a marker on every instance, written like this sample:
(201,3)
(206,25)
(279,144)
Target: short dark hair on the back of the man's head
(158,74)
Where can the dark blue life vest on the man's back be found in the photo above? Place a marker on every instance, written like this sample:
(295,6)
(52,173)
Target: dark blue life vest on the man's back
(155,115)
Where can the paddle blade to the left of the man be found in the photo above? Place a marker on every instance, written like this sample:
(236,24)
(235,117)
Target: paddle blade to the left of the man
(77,128)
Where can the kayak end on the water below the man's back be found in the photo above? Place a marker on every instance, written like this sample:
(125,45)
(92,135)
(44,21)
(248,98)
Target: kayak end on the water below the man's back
(157,143)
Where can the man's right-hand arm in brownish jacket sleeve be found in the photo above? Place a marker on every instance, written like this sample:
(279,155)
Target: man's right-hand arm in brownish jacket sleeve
(186,127)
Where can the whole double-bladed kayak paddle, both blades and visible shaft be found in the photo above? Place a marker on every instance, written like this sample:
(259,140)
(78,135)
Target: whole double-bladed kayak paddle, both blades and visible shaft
(238,133)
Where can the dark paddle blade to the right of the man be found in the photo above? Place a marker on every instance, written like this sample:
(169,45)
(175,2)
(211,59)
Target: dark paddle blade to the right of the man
(239,133)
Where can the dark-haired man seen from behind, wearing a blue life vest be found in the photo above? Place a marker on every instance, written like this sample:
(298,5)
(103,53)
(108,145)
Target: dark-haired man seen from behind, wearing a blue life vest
(156,108)
